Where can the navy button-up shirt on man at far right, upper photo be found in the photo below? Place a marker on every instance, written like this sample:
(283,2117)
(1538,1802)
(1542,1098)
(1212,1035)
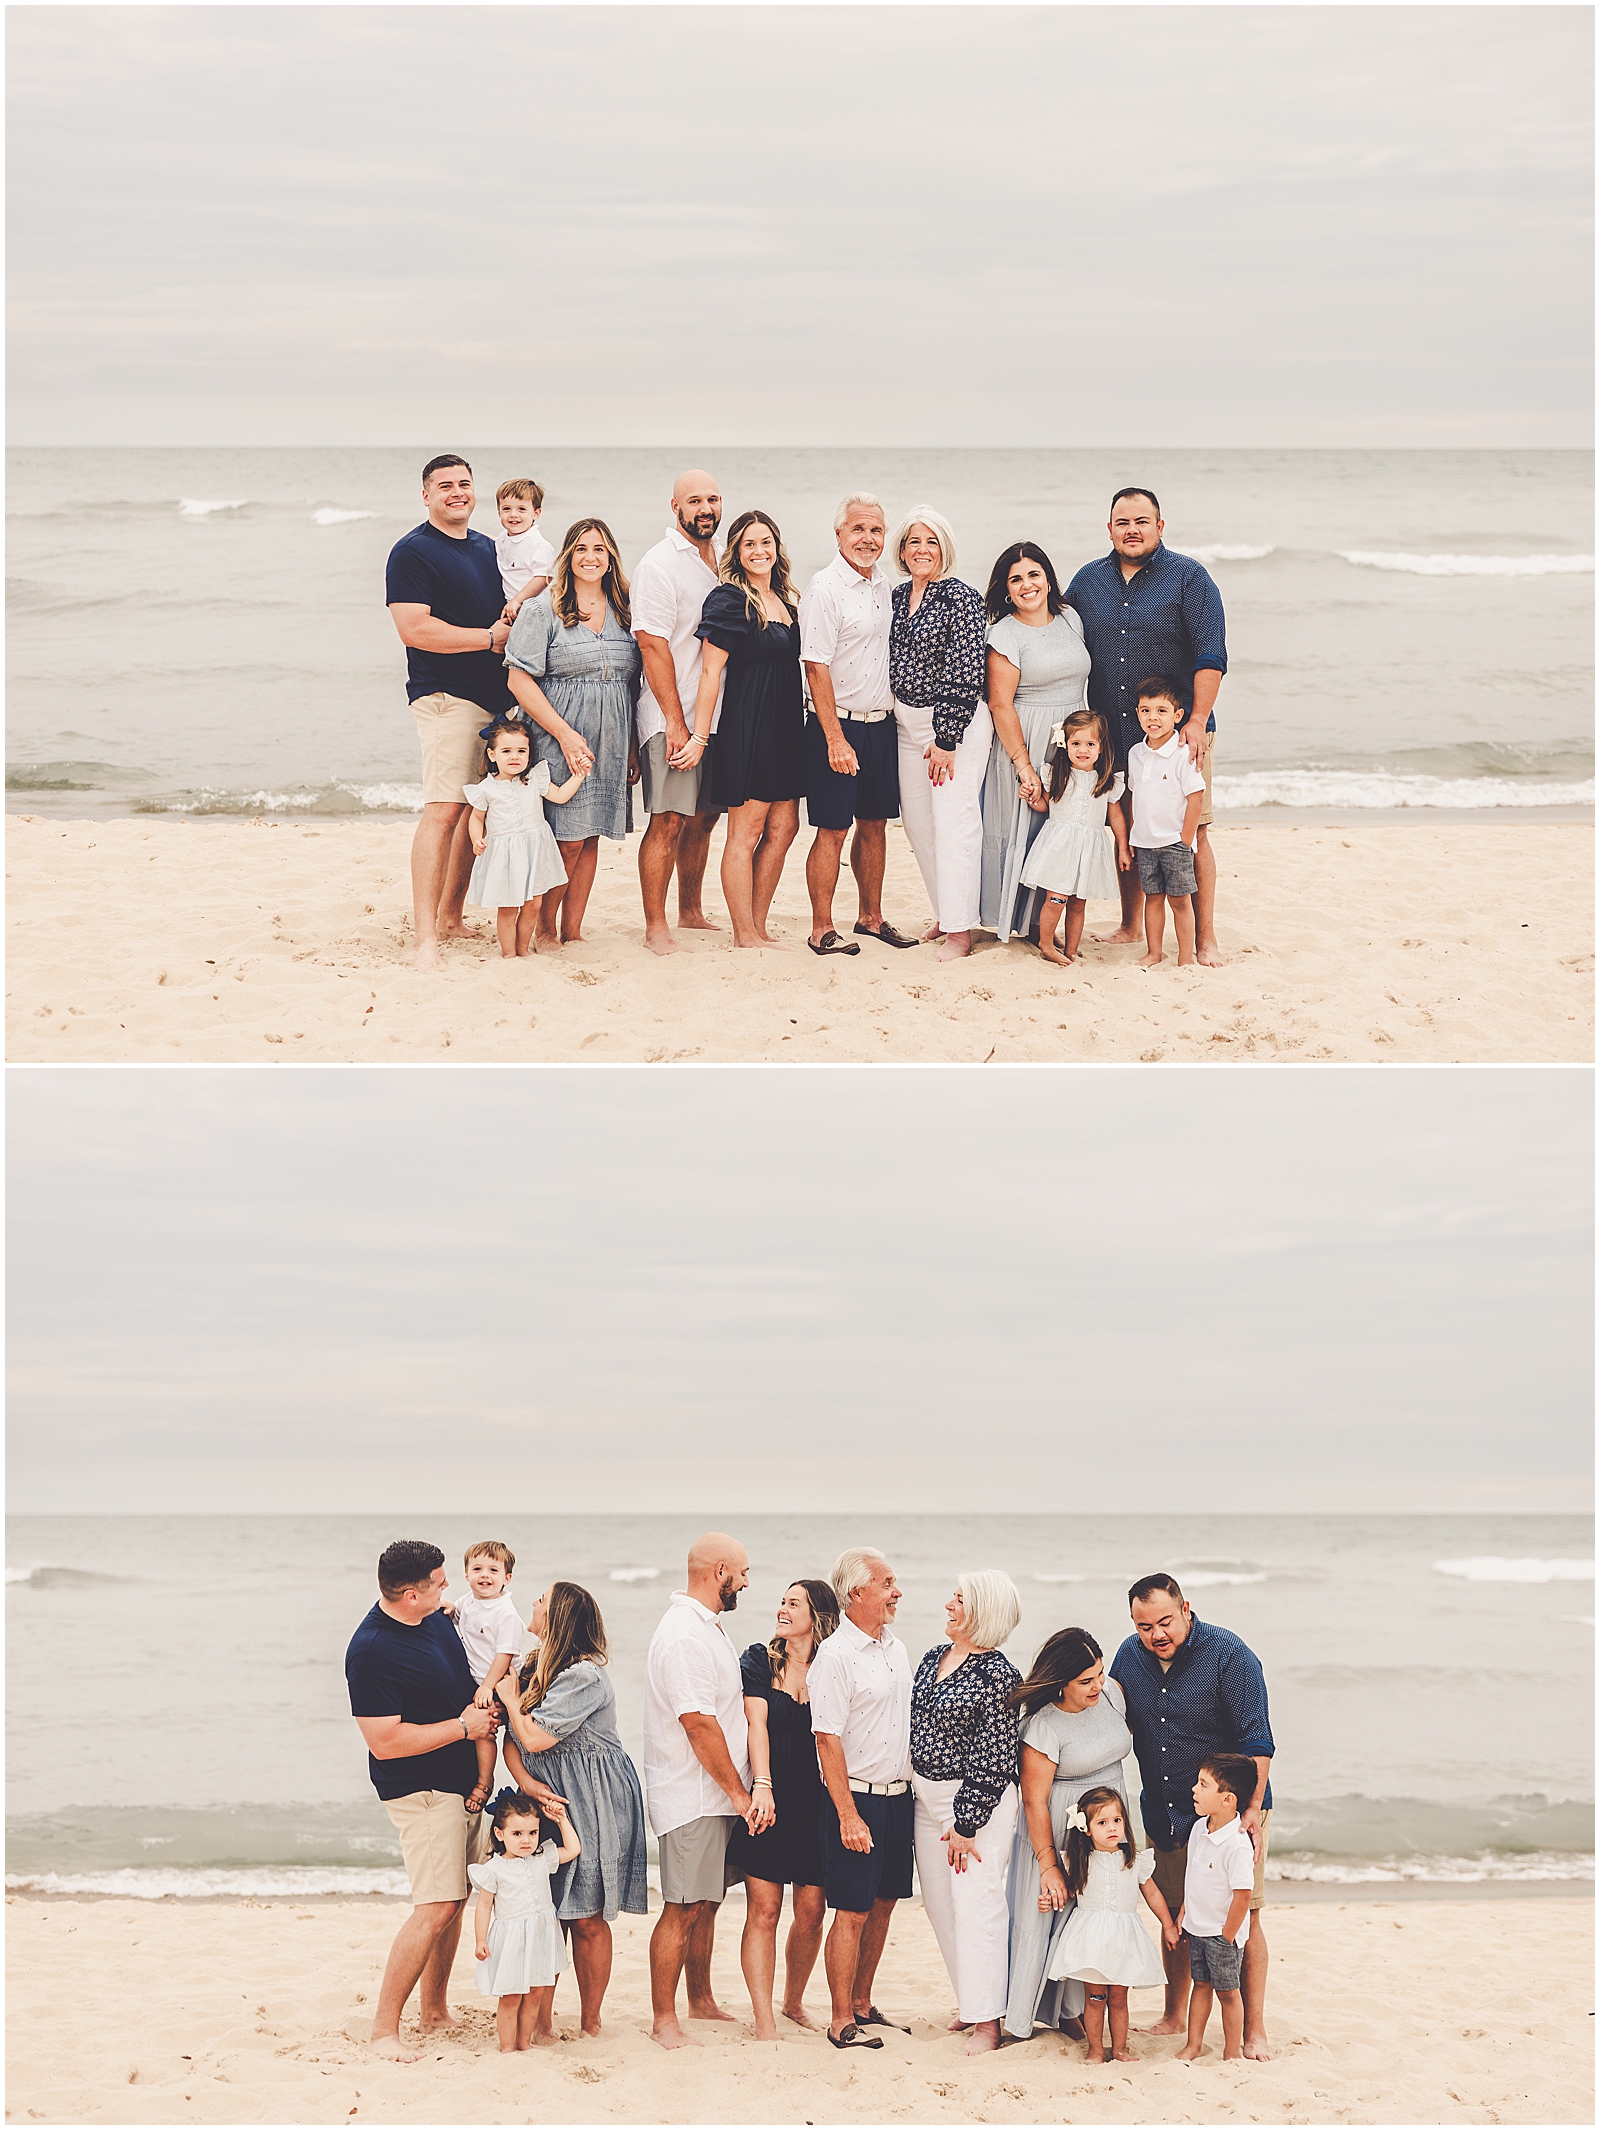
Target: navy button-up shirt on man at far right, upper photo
(1169,619)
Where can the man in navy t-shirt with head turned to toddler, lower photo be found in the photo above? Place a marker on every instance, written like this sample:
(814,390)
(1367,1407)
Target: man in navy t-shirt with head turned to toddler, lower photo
(412,1697)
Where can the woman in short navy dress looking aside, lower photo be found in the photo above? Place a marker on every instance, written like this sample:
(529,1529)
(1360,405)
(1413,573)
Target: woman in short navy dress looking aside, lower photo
(783,1763)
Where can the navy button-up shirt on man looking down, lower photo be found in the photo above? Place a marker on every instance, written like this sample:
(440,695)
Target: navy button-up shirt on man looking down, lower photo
(1213,1699)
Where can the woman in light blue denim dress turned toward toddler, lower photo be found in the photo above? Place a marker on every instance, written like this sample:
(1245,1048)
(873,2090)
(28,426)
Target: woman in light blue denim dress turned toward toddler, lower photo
(561,1737)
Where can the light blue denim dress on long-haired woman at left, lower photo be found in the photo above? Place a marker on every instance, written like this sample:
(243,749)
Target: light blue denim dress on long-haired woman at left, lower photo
(602,1786)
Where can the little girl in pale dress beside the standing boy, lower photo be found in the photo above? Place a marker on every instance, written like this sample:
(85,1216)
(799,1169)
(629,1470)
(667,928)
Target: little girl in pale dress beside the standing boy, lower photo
(1105,1944)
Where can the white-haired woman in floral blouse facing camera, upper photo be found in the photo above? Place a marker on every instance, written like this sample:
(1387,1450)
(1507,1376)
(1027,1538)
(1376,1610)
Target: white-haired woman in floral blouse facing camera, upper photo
(936,668)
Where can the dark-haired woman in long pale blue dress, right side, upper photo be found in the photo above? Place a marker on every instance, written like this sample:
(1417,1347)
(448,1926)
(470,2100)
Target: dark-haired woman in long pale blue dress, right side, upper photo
(1039,670)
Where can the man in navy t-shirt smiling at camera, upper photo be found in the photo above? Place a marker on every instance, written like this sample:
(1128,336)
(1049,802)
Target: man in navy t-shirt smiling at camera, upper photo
(444,591)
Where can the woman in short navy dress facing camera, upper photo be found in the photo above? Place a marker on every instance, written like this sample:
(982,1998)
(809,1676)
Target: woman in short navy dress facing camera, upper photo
(751,651)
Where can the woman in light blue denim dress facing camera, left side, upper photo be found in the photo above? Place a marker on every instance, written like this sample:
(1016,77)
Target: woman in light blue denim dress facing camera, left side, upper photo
(574,670)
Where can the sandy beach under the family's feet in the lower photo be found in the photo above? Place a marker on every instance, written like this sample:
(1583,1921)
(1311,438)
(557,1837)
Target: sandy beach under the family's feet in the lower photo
(255,2012)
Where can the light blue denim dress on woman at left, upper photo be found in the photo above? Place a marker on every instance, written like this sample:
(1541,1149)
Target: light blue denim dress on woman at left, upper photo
(593,683)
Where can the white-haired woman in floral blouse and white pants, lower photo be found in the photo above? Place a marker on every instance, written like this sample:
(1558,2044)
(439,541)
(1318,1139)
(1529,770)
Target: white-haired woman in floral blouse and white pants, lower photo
(964,1775)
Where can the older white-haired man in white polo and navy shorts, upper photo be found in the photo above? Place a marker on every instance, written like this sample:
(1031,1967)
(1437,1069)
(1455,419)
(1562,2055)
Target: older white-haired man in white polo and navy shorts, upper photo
(851,738)
